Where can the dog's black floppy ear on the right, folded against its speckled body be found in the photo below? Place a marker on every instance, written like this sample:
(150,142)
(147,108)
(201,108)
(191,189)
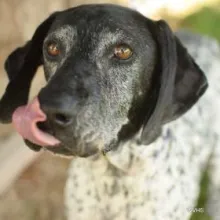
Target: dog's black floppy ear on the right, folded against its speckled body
(181,82)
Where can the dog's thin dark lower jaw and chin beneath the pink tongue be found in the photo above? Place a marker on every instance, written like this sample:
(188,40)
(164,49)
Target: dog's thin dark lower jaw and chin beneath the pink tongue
(63,150)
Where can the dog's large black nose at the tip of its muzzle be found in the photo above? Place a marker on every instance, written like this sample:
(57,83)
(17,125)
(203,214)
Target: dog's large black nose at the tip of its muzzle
(61,100)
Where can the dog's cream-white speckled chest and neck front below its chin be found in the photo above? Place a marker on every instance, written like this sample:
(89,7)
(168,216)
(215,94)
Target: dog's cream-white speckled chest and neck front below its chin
(159,181)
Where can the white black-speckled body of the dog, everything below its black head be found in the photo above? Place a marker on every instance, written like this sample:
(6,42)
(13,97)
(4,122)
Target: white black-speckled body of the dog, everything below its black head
(160,181)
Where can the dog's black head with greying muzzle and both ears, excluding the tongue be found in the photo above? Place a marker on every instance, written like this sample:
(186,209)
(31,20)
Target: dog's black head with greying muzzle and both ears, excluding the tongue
(110,73)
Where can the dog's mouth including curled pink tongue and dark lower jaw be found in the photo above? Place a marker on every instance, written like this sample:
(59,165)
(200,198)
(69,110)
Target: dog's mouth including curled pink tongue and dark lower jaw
(30,122)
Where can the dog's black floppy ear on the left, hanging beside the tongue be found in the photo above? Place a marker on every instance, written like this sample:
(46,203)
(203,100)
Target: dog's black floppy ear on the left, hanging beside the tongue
(21,66)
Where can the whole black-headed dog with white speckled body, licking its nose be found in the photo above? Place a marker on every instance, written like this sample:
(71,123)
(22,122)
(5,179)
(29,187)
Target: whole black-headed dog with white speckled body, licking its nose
(128,101)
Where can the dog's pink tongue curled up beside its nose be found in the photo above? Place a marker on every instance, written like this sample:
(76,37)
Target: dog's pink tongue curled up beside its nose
(25,120)
